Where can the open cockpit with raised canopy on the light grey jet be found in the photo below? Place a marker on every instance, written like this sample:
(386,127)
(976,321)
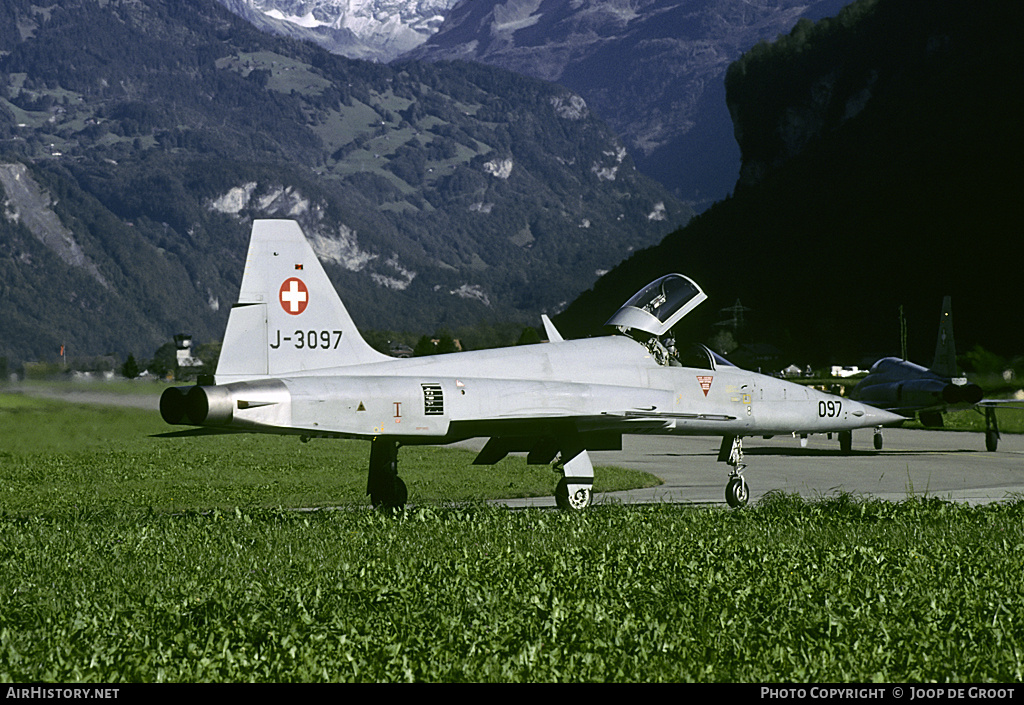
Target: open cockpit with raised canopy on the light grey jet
(651,314)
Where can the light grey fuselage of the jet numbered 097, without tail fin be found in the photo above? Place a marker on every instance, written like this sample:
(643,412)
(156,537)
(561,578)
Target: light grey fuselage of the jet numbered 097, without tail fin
(610,385)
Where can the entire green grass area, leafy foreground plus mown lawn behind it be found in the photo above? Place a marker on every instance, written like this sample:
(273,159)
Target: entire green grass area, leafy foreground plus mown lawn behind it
(129,558)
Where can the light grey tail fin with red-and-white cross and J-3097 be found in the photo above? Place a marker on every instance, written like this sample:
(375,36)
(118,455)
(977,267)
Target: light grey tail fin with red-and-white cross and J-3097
(289,317)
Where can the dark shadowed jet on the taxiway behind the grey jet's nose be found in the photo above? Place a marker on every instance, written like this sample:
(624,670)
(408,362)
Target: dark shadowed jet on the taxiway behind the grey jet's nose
(906,389)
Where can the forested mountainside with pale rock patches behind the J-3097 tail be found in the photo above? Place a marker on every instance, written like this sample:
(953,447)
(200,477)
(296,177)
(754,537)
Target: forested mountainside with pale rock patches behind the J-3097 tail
(139,141)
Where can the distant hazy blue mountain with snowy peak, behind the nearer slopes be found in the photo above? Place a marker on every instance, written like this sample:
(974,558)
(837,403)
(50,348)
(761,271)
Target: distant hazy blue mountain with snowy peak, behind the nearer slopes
(654,70)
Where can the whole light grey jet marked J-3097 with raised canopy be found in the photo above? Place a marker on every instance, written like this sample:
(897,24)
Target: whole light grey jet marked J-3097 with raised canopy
(293,362)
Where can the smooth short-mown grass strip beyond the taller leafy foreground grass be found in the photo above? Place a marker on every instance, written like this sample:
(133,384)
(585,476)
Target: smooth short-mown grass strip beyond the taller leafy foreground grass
(57,457)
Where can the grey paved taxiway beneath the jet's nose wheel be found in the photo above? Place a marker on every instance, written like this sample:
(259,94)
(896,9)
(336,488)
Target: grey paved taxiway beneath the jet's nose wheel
(950,466)
